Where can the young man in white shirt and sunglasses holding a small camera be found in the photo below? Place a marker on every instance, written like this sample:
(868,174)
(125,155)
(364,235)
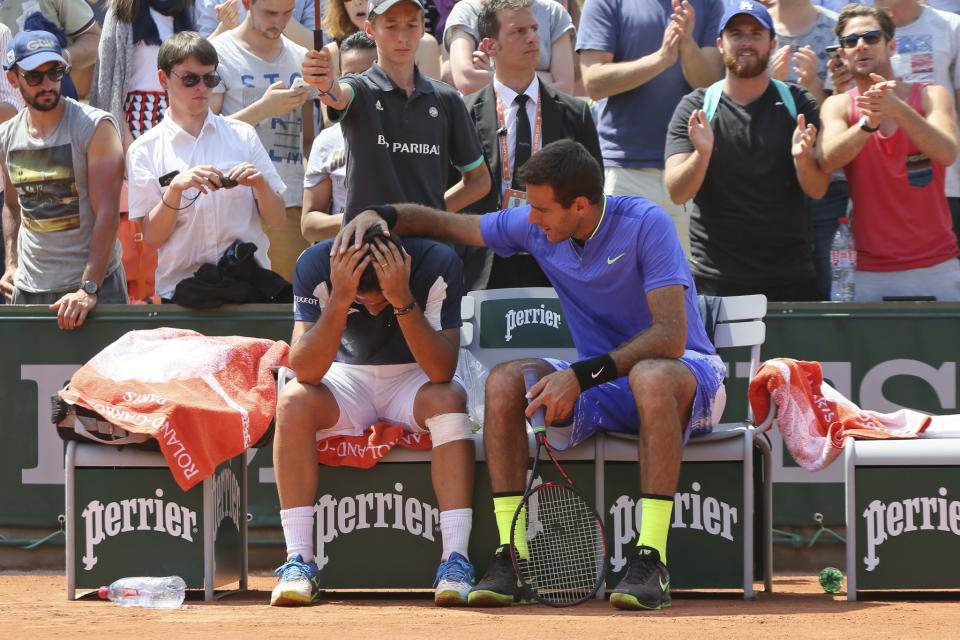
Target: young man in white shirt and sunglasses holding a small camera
(199,181)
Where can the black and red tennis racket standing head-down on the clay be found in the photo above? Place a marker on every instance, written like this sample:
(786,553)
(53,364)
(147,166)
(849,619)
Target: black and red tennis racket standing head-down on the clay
(557,541)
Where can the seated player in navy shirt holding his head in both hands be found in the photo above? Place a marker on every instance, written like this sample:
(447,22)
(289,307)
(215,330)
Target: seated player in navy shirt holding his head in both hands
(375,338)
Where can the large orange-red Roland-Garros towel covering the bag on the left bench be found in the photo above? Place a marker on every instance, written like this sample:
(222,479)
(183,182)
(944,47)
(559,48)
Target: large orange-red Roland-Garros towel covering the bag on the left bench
(205,399)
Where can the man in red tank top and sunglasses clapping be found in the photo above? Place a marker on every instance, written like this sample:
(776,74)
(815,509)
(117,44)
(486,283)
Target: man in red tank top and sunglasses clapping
(894,140)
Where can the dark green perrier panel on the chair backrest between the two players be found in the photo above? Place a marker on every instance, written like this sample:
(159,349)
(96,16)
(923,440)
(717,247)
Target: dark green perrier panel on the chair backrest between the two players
(523,323)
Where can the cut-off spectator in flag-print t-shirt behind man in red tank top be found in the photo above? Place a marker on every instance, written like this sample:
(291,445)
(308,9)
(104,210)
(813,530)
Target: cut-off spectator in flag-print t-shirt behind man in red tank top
(928,50)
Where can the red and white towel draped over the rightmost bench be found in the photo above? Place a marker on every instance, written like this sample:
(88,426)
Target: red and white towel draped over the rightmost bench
(814,419)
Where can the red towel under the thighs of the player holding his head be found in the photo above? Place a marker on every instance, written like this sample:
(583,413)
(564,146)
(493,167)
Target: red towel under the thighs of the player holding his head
(366,450)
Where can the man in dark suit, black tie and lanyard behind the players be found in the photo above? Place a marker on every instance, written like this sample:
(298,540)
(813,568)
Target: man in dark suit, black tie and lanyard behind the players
(516,115)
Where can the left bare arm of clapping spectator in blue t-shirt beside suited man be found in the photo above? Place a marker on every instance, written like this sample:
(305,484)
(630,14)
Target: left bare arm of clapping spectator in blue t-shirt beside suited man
(602,77)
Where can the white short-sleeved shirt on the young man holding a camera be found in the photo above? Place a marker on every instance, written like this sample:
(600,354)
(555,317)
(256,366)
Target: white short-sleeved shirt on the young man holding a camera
(207,227)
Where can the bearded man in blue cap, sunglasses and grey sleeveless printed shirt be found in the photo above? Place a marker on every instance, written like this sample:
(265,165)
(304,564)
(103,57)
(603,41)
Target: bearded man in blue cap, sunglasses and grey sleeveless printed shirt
(60,235)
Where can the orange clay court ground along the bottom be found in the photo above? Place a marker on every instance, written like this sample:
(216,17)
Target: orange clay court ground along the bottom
(34,607)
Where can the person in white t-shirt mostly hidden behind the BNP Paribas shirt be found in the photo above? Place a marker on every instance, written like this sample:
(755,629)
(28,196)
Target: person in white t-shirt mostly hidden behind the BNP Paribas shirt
(324,184)
